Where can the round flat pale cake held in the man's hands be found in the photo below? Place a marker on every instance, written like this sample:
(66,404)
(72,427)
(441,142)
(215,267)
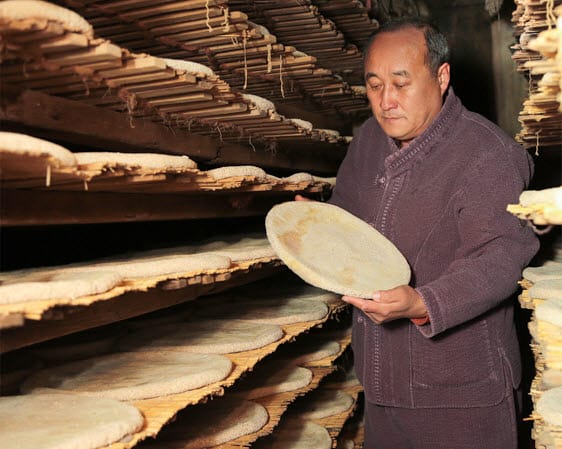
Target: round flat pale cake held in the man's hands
(332,249)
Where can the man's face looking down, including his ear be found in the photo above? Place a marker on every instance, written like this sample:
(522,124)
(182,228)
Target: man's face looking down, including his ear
(404,95)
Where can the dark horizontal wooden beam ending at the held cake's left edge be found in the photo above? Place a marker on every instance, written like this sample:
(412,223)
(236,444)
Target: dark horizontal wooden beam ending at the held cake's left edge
(22,207)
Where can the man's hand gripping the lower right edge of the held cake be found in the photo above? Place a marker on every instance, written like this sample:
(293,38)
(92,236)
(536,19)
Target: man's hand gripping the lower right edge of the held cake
(388,305)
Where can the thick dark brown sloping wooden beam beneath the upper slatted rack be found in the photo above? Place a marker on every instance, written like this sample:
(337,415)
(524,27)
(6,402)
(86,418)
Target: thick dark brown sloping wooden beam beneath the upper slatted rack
(55,118)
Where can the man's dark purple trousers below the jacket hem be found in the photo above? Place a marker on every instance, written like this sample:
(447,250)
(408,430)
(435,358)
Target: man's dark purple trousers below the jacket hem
(452,428)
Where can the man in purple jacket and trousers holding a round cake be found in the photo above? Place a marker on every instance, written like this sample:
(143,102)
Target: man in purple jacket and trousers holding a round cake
(438,359)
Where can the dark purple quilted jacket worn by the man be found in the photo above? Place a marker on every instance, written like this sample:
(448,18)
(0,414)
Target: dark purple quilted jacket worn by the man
(442,201)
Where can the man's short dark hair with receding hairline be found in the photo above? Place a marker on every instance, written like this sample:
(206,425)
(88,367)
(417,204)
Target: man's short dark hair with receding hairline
(437,46)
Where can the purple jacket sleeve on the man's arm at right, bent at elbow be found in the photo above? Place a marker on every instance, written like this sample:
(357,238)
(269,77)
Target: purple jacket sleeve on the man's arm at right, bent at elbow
(495,245)
